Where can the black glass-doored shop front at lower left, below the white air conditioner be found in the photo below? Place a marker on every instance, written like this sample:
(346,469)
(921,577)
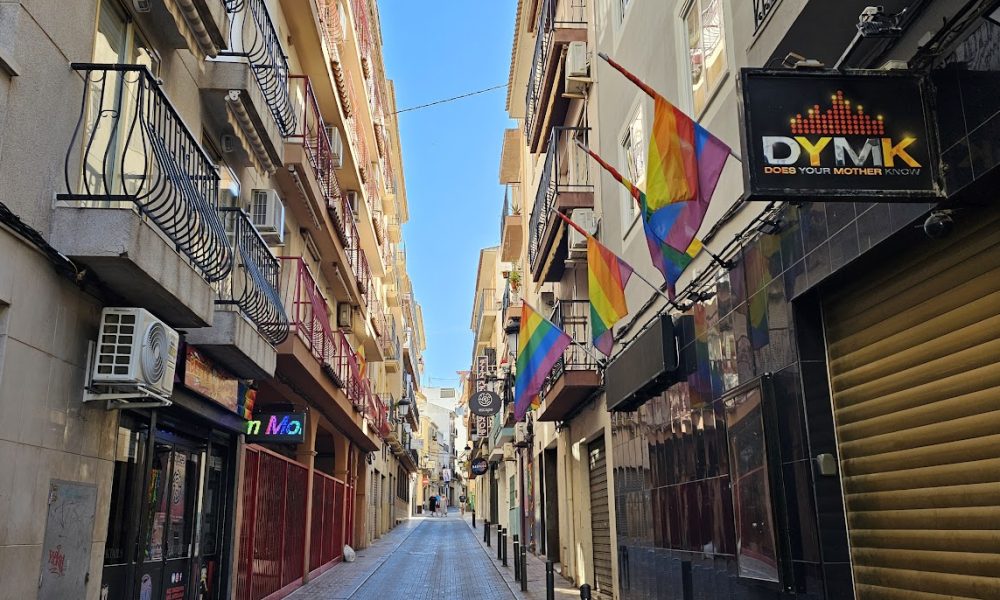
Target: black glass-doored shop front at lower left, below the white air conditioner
(172,499)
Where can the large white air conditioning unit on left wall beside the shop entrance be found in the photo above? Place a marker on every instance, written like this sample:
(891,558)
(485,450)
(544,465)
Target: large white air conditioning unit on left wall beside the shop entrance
(135,352)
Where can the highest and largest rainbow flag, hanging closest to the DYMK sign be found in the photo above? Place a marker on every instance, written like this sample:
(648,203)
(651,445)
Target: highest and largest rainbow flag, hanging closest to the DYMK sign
(683,167)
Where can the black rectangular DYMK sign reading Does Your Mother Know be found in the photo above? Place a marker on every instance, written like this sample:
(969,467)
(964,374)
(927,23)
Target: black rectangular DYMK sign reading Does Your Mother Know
(838,136)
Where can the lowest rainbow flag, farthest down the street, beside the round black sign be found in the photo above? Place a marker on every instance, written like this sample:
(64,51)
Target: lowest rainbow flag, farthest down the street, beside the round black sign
(539,345)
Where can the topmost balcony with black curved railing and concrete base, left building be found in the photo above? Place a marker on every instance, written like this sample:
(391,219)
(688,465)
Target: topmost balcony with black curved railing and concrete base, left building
(246,88)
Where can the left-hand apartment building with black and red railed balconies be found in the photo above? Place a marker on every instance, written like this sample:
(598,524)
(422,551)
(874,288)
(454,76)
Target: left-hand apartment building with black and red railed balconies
(207,333)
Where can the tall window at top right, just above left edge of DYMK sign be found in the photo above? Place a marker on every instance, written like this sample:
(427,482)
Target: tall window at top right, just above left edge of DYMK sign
(706,35)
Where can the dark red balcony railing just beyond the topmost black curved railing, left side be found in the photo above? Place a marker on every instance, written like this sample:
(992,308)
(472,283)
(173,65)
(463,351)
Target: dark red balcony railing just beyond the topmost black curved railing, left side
(311,132)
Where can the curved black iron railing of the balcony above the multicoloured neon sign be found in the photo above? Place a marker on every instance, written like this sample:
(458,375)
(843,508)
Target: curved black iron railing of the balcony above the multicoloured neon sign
(253,284)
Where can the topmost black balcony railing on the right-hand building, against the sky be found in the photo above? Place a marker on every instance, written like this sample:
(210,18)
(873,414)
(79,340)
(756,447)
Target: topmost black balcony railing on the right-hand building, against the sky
(555,14)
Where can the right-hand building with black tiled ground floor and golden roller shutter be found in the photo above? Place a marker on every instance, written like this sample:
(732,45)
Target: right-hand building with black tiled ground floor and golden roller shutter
(800,429)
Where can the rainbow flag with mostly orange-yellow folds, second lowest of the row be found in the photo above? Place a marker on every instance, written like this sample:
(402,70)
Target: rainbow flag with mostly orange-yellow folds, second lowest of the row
(607,275)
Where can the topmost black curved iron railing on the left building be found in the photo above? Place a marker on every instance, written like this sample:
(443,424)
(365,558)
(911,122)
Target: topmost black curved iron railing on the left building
(252,35)
